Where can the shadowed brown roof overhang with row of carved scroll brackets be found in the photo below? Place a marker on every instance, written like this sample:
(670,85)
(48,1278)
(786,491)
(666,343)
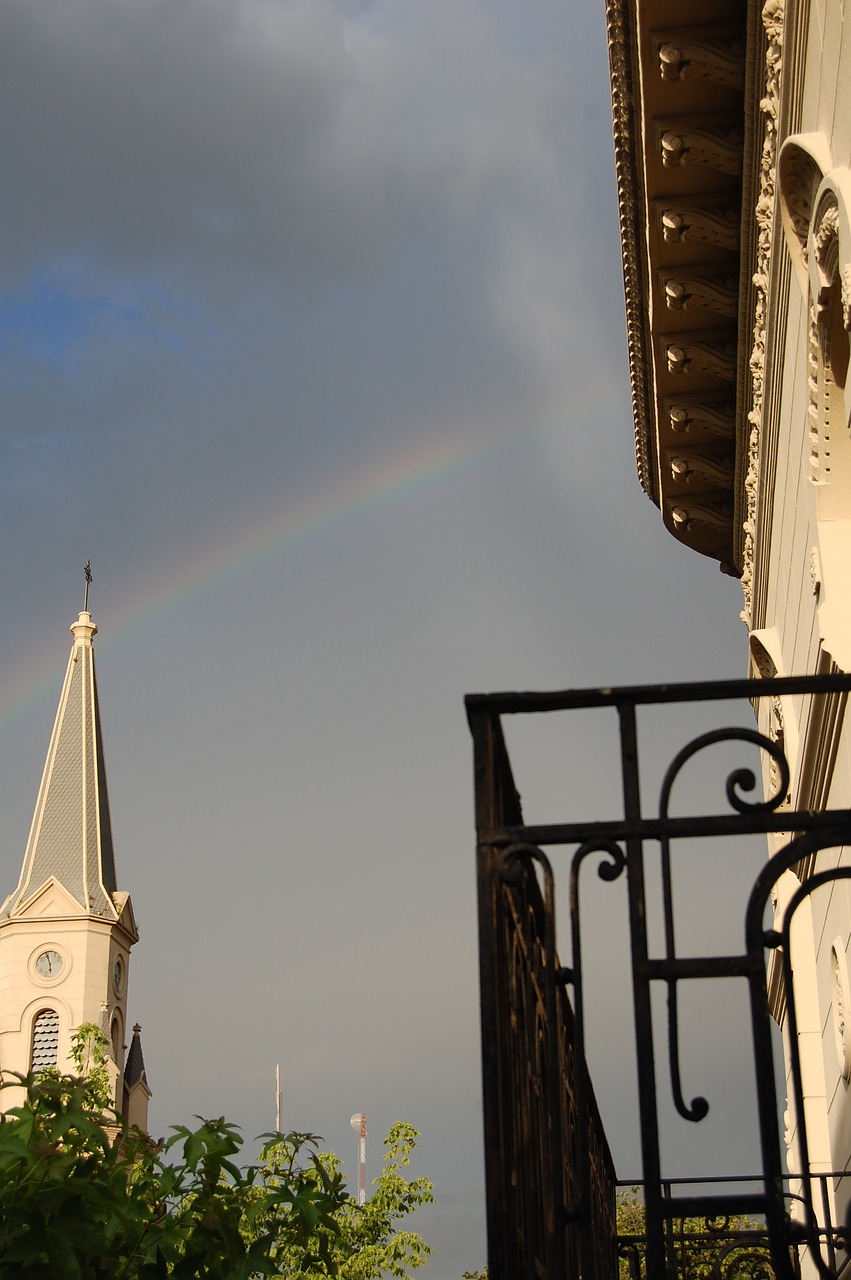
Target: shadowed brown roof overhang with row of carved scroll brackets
(690,136)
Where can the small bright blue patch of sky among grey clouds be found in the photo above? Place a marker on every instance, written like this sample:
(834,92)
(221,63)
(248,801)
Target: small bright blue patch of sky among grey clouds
(53,322)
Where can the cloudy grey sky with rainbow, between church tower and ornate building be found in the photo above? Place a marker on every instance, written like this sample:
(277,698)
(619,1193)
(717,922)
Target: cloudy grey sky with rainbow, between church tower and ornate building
(312,339)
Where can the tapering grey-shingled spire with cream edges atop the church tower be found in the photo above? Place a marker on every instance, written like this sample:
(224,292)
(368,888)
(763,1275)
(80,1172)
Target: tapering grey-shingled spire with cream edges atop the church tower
(71,839)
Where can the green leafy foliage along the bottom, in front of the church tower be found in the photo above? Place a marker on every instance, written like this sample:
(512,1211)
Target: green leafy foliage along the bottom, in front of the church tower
(79,1206)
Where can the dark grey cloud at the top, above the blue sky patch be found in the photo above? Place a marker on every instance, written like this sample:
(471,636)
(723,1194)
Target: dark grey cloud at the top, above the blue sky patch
(244,143)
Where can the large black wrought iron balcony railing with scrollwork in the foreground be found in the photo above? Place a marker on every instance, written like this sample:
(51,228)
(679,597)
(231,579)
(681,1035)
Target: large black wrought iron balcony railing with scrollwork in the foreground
(550,1174)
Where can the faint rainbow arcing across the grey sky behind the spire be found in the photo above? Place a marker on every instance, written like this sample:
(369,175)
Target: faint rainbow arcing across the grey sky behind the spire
(272,534)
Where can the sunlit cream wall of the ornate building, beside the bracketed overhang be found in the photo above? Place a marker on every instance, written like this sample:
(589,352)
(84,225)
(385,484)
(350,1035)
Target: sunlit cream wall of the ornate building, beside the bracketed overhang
(812,623)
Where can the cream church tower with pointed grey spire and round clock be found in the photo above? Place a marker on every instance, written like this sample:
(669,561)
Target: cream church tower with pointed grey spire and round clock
(67,930)
